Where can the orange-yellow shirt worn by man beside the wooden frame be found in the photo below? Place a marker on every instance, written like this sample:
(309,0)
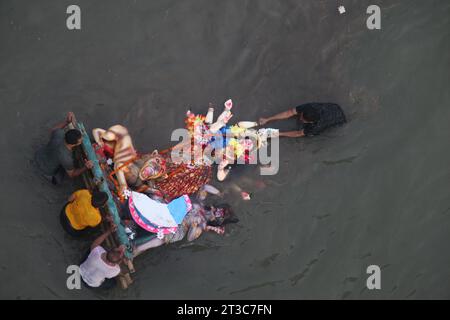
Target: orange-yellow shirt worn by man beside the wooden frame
(81,213)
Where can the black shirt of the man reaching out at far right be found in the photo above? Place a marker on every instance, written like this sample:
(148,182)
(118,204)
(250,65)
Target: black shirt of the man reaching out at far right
(330,115)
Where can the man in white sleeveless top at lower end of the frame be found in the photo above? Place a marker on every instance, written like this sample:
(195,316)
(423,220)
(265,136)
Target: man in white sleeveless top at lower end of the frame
(102,266)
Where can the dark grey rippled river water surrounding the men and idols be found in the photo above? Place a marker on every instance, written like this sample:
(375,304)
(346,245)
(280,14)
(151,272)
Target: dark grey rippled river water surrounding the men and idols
(375,191)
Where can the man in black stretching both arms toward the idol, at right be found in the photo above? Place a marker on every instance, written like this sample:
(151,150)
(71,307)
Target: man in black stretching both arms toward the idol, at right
(314,118)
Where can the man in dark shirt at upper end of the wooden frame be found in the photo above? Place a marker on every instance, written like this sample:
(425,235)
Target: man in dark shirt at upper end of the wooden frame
(55,159)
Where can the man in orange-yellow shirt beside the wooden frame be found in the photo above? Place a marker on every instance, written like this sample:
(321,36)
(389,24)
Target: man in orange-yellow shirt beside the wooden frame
(81,214)
